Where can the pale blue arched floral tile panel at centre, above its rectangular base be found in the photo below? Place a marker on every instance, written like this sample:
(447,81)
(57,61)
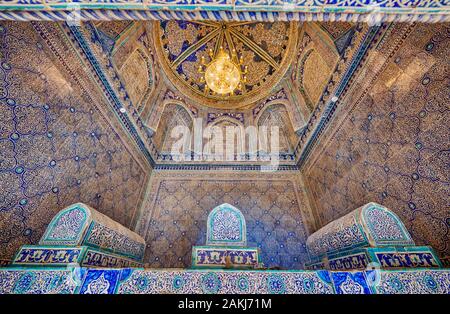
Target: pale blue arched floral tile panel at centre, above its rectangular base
(226,226)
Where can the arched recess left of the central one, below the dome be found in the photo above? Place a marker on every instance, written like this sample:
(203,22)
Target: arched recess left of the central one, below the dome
(174,114)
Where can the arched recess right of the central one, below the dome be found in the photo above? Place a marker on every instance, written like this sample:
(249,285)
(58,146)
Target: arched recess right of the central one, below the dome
(277,114)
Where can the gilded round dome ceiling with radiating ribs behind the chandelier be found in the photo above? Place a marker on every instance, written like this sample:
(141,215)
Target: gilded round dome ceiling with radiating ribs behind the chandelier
(266,48)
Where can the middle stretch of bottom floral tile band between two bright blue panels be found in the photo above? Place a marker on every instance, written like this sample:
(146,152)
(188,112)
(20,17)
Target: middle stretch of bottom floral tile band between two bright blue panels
(231,282)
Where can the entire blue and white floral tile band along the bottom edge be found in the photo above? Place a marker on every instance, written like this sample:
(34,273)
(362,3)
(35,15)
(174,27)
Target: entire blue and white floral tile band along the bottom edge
(151,281)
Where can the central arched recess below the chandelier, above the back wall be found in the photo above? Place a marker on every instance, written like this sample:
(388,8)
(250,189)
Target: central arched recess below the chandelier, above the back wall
(238,136)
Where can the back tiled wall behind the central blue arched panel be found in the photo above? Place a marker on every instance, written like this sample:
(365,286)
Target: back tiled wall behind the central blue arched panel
(273,205)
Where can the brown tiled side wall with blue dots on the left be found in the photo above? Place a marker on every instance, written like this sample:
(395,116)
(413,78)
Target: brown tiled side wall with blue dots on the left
(59,143)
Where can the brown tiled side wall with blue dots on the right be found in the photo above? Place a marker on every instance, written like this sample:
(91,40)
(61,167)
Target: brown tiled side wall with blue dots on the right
(391,142)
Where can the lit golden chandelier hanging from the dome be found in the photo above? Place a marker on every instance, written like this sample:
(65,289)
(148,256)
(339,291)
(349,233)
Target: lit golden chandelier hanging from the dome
(224,74)
